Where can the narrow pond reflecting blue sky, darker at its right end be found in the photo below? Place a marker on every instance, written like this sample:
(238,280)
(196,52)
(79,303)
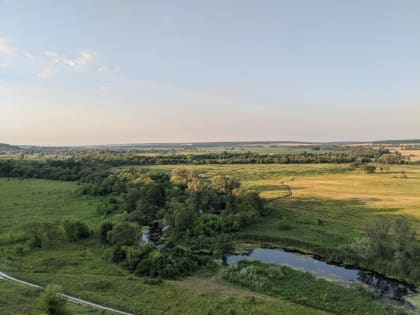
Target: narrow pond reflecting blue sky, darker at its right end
(384,287)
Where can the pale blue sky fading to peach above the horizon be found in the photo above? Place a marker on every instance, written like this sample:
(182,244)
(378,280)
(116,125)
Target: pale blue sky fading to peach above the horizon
(108,72)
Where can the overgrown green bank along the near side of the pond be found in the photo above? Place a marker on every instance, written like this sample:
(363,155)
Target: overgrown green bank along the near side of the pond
(304,288)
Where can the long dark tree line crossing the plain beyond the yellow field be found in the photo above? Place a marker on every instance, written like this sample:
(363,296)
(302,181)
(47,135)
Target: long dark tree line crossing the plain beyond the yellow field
(81,167)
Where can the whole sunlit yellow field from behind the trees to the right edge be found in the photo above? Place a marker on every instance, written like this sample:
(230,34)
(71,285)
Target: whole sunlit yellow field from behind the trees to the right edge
(397,189)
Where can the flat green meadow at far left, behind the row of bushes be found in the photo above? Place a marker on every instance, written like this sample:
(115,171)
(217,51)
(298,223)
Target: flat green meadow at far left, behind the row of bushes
(26,201)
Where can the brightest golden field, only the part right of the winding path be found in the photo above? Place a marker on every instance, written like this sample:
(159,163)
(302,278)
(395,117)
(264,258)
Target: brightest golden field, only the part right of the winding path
(381,191)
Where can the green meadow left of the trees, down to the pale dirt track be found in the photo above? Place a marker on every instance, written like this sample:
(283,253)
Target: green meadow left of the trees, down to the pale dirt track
(82,271)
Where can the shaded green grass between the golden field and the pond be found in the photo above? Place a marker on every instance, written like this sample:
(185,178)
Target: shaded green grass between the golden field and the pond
(316,224)
